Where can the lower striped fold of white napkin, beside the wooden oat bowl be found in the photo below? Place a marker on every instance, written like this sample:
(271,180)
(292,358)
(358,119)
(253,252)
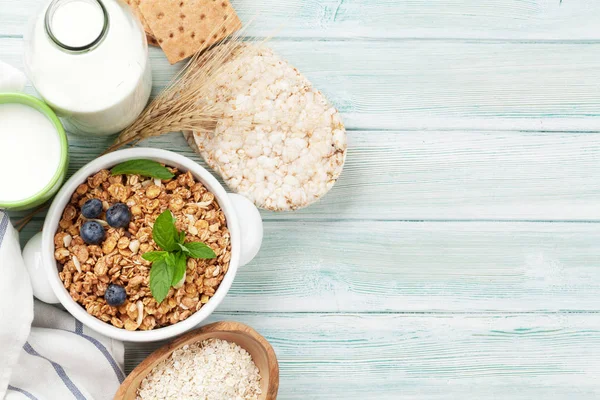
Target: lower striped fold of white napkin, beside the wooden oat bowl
(62,360)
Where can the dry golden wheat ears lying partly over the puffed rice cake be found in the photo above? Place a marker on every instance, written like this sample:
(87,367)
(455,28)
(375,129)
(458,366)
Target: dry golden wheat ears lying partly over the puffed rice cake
(181,105)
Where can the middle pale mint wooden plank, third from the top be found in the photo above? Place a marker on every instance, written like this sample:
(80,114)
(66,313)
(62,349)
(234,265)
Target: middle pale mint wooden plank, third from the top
(442,176)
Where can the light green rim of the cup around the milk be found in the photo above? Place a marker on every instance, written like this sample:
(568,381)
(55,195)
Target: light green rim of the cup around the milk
(59,176)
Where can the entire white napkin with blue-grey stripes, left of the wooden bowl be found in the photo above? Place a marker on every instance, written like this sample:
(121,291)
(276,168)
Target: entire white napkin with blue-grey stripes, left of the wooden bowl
(53,357)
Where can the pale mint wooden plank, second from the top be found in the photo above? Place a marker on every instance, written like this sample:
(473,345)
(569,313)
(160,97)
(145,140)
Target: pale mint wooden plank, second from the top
(429,85)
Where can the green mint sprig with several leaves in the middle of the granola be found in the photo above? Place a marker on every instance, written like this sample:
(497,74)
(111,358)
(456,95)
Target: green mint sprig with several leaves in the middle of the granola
(168,265)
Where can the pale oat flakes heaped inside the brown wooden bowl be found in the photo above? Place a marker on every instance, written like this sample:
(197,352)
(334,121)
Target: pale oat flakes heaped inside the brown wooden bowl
(211,370)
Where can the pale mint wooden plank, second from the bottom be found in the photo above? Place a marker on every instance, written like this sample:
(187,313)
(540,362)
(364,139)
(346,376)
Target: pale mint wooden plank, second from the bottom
(374,266)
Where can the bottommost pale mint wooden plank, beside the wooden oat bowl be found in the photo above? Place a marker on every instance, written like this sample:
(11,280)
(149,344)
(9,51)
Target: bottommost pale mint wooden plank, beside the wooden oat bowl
(516,357)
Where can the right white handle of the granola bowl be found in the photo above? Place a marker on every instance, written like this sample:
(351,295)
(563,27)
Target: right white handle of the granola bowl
(250,227)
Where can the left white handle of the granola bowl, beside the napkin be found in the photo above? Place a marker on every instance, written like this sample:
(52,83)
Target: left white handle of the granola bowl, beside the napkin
(32,255)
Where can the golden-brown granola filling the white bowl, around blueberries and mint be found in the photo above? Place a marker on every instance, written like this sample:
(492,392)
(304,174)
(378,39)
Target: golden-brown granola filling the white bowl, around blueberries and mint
(87,270)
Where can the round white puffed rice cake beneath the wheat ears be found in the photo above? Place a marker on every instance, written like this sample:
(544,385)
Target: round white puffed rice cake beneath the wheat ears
(279,142)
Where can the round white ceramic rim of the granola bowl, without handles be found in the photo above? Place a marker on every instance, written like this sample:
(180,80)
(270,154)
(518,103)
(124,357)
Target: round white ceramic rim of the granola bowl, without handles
(106,162)
